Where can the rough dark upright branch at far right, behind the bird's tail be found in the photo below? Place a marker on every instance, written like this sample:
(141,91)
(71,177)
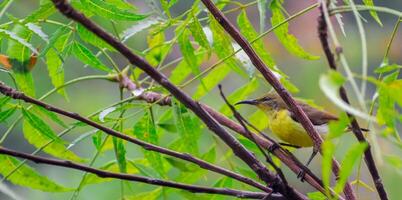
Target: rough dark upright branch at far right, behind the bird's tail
(368,157)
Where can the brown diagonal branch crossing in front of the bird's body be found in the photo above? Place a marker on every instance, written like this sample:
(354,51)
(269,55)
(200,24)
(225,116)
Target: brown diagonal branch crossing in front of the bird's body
(271,79)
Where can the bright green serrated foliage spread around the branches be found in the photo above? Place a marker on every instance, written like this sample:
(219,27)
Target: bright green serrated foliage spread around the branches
(200,40)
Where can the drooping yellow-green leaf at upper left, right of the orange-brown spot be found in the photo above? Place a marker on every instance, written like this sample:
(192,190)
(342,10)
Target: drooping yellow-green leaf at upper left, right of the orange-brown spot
(55,63)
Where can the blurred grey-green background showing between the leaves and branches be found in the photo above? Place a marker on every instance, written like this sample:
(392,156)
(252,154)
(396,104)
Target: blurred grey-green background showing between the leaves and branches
(90,96)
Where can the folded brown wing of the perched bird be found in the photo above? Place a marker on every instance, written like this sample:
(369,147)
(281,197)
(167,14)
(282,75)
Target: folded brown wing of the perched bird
(317,117)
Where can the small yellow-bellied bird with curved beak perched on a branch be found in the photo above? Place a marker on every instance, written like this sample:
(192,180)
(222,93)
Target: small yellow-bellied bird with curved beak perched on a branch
(283,122)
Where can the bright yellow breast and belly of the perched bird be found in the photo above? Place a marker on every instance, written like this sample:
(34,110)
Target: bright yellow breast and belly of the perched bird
(282,125)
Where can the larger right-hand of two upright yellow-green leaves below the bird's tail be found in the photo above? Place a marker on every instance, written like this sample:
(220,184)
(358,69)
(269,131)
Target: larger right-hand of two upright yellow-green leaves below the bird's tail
(348,162)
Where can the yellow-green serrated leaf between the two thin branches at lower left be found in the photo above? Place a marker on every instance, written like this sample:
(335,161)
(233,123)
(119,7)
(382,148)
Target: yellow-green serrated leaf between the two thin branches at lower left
(54,147)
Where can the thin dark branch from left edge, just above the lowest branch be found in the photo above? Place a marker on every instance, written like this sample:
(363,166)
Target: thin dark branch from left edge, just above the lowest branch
(148,146)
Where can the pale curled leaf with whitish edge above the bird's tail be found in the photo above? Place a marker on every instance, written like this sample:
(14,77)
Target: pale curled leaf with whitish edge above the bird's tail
(330,84)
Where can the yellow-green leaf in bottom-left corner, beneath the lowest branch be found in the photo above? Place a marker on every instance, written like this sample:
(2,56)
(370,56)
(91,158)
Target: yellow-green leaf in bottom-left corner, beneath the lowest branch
(27,176)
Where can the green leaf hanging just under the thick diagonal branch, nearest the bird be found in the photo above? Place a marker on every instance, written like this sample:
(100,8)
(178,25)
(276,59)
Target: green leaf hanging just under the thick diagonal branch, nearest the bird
(187,126)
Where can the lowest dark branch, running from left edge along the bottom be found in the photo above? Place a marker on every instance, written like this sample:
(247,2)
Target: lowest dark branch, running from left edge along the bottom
(142,179)
